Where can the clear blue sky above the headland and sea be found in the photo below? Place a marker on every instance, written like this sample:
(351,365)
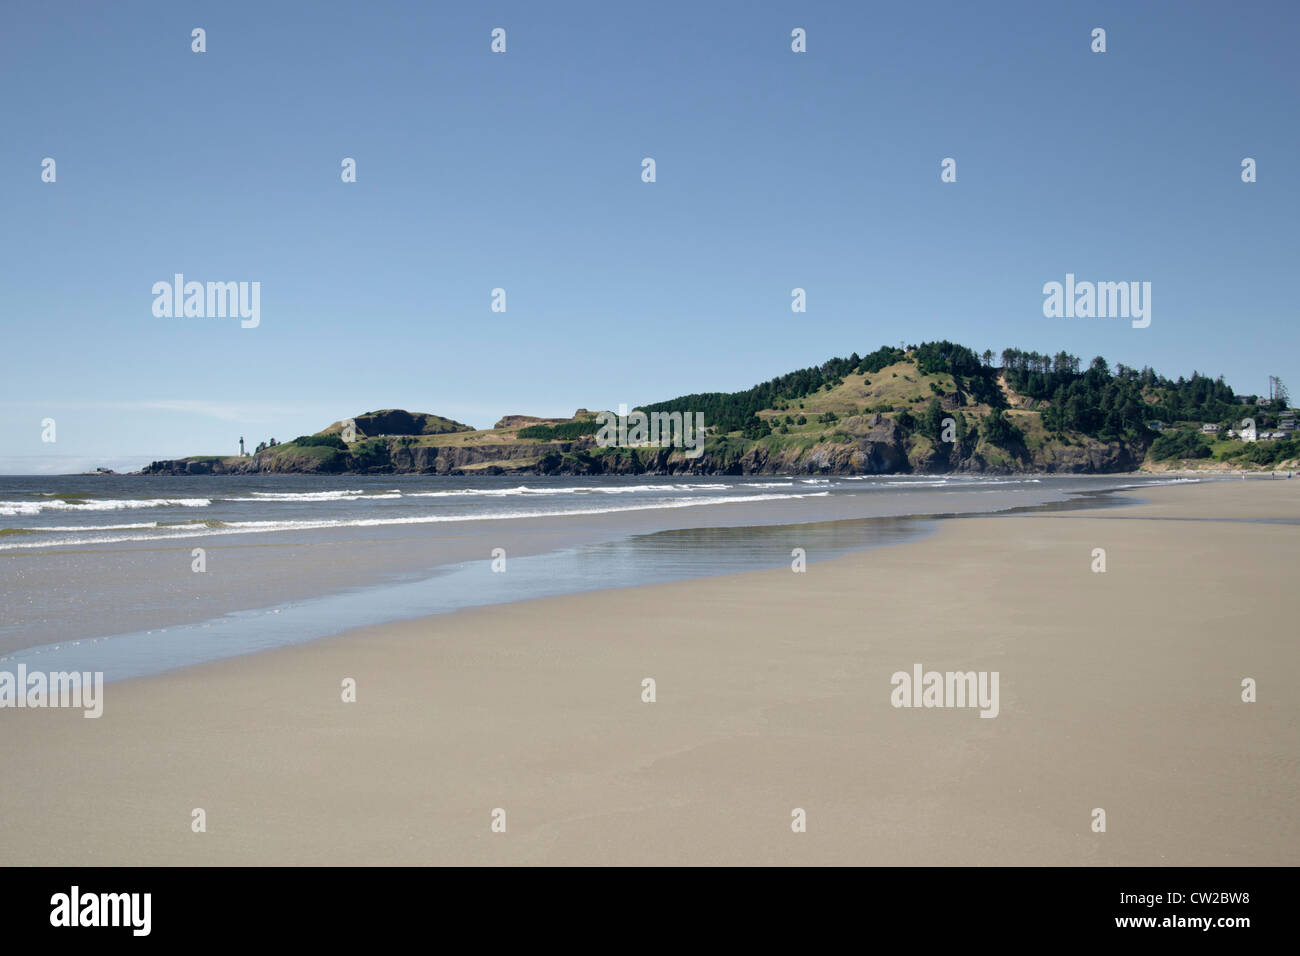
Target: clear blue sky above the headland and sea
(523,171)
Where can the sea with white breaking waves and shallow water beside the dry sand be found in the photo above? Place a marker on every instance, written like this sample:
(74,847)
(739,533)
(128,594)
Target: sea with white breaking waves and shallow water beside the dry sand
(137,576)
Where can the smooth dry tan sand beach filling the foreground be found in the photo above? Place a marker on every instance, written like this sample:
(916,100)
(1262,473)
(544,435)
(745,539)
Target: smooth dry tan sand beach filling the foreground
(1120,691)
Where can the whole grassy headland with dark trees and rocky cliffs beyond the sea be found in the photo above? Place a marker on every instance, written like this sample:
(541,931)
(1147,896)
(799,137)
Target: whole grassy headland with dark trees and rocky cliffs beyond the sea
(935,409)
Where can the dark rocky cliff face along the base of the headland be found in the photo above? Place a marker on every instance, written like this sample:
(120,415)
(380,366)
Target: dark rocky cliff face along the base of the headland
(879,449)
